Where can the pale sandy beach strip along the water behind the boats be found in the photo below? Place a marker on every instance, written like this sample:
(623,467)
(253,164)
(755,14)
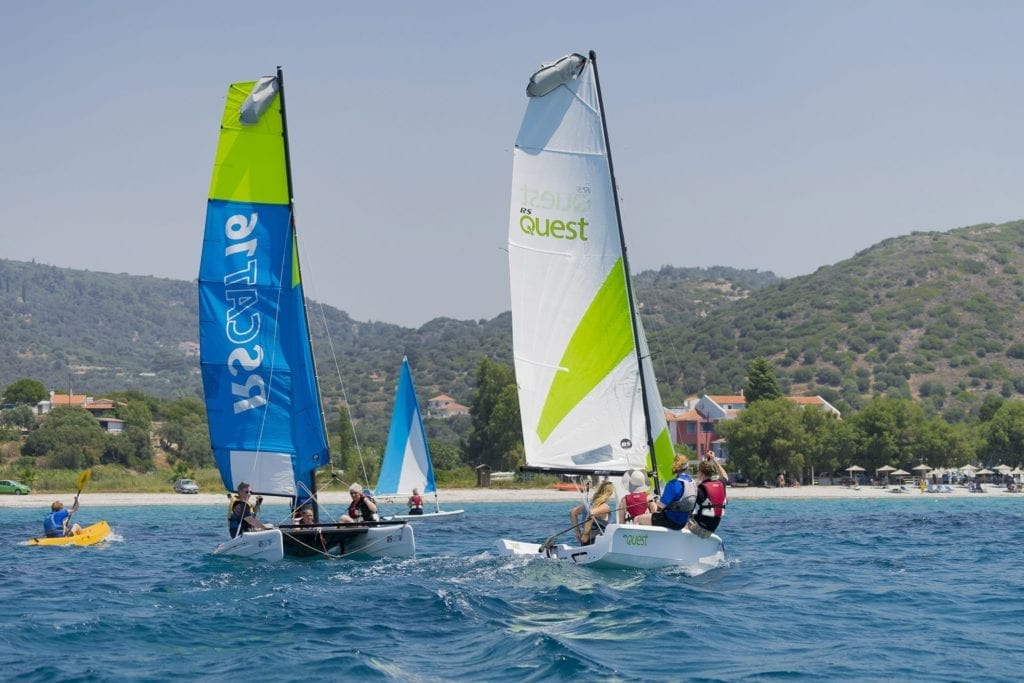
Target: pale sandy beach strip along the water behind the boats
(452,497)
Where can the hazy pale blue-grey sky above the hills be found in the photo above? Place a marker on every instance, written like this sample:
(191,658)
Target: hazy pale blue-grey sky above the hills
(781,137)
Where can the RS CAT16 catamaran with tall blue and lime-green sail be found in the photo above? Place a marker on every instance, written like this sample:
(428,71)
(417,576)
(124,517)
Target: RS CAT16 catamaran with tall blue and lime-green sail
(260,379)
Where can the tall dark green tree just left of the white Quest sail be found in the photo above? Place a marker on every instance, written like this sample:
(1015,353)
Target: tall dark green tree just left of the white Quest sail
(496,437)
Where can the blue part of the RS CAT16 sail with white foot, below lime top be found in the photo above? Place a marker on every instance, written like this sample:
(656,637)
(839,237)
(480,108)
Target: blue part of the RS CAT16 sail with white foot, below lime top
(262,396)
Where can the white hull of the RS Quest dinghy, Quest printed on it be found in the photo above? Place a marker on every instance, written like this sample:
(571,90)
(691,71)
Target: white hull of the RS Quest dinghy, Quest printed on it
(632,546)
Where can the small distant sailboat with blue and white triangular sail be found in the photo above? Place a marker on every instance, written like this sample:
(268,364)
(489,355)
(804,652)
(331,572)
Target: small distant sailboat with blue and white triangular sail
(407,463)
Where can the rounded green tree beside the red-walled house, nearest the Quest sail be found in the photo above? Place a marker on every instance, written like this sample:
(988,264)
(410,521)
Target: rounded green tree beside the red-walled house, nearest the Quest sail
(767,439)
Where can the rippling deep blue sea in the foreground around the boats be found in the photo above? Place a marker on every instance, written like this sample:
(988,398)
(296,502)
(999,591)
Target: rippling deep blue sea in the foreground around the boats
(928,589)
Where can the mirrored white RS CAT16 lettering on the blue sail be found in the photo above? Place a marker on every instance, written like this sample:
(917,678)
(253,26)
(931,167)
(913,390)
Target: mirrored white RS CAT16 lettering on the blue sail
(242,325)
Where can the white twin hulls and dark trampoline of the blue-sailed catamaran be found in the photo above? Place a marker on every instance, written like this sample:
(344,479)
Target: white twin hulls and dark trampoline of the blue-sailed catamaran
(357,542)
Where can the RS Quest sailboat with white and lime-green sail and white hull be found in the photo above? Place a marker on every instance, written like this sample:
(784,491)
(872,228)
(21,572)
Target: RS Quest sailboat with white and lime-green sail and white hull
(588,398)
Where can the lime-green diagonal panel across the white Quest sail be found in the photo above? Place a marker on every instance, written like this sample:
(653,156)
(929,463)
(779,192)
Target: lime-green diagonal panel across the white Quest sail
(603,339)
